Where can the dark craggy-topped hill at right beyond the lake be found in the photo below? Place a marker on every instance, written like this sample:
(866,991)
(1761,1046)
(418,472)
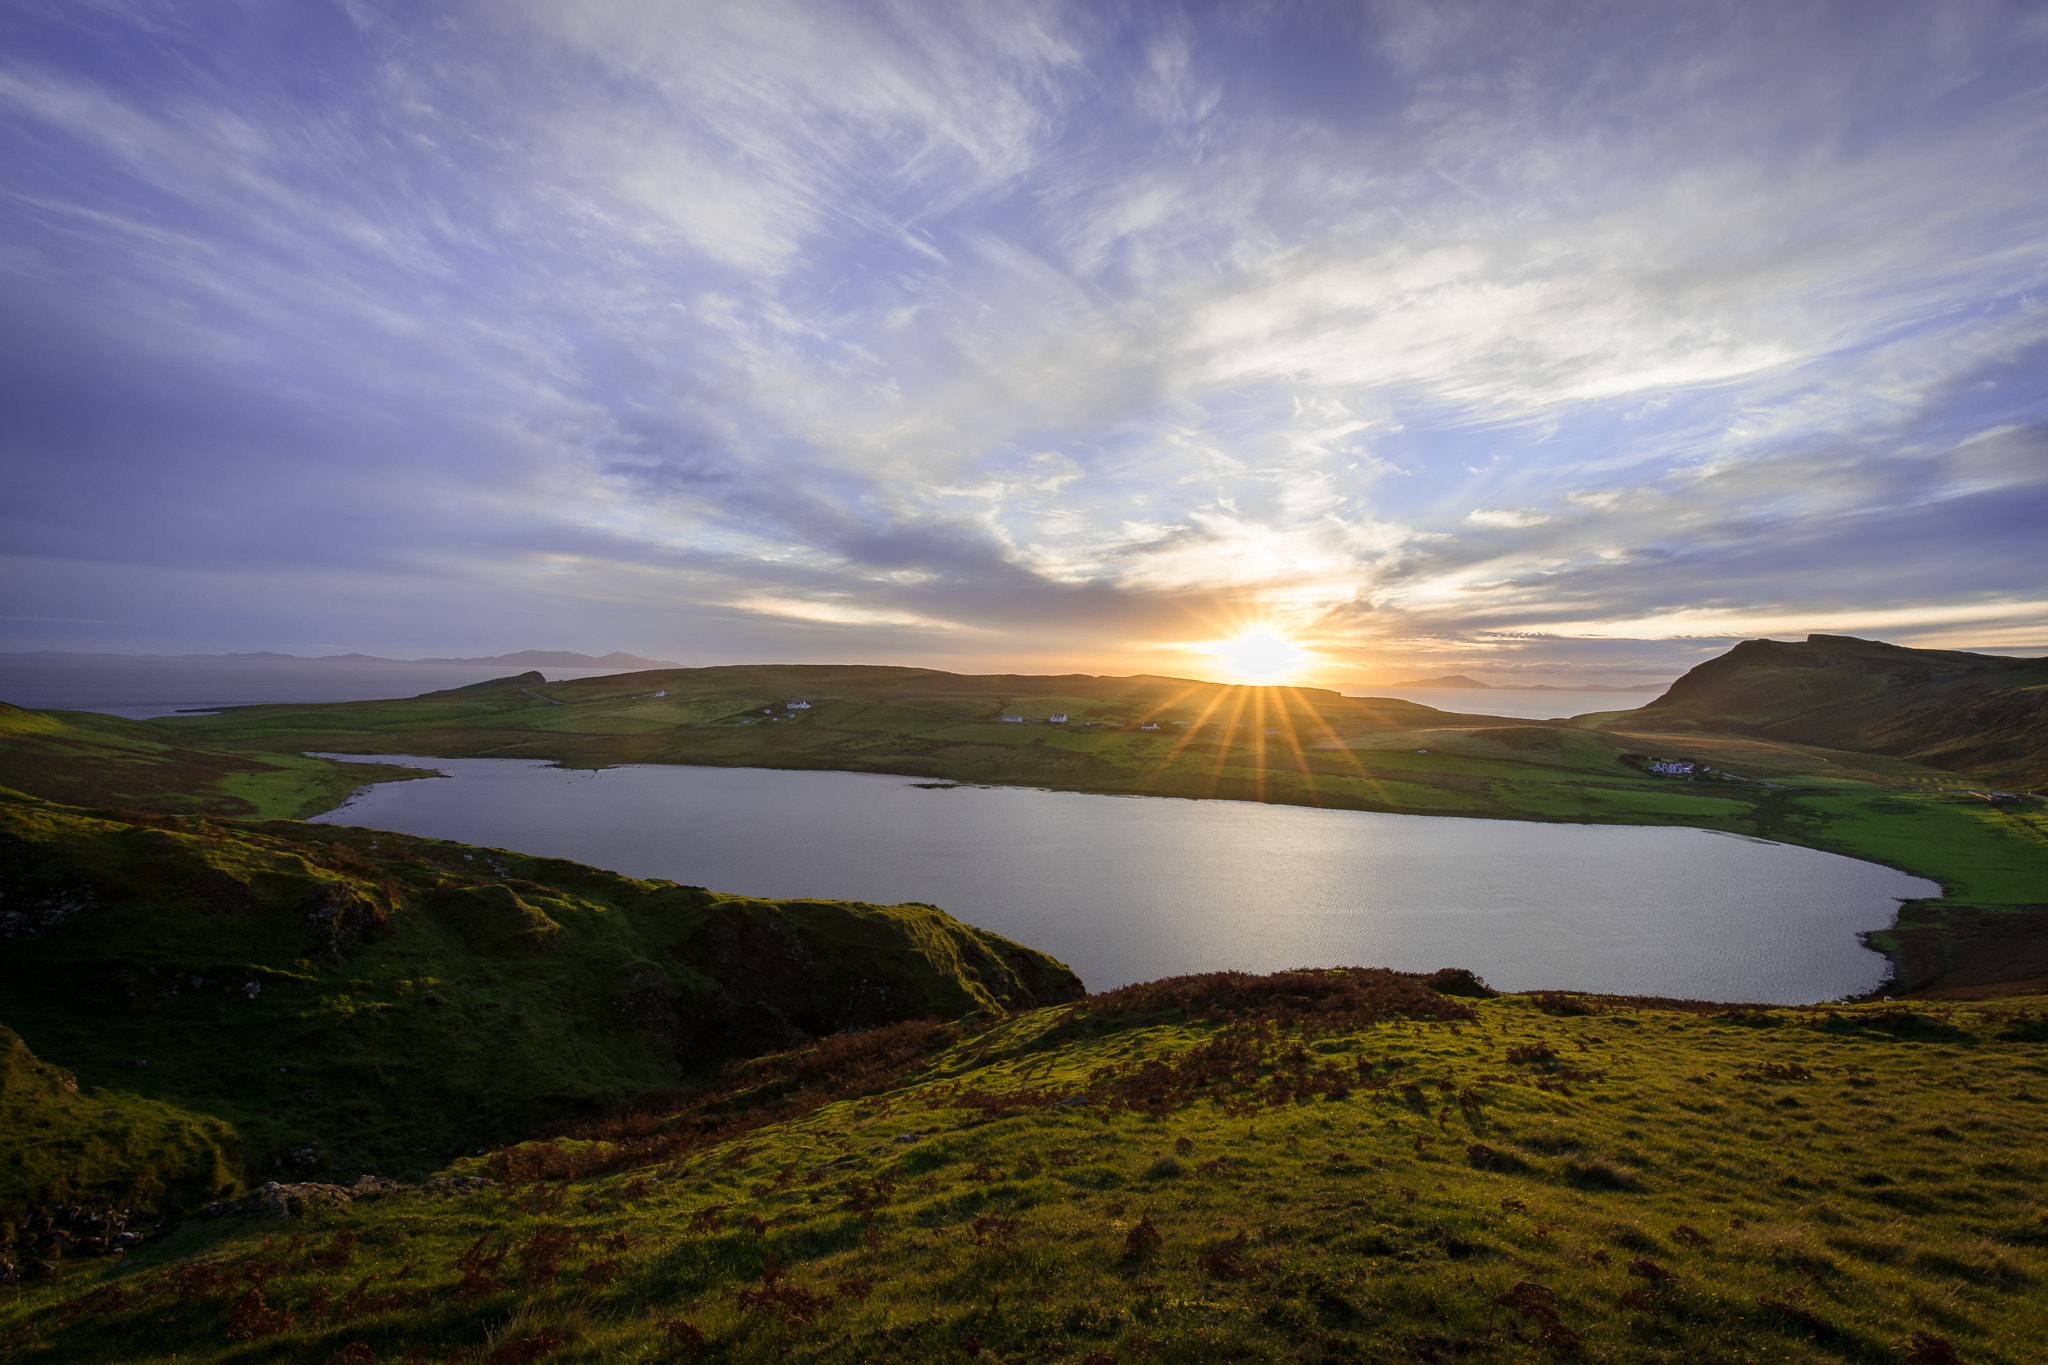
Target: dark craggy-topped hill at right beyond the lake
(1979,715)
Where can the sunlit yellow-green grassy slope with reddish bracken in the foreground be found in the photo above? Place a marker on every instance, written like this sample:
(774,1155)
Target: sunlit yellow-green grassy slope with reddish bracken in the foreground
(1312,1168)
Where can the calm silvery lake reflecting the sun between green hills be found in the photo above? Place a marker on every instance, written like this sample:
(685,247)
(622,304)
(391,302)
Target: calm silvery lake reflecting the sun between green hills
(1132,887)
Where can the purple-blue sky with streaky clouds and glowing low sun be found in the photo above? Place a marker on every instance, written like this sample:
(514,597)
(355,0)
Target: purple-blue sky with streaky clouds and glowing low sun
(1529,341)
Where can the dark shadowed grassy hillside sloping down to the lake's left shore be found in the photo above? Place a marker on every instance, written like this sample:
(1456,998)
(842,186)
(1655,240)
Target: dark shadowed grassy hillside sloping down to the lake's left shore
(357,1000)
